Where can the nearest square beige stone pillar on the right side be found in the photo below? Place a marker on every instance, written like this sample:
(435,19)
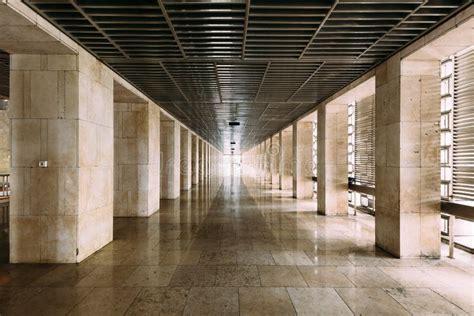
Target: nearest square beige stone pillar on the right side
(407,157)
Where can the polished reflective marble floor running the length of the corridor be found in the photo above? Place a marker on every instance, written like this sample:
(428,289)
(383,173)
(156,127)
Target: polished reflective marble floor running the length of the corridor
(244,248)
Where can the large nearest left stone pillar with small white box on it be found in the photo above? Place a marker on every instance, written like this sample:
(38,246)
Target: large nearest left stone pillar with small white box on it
(61,109)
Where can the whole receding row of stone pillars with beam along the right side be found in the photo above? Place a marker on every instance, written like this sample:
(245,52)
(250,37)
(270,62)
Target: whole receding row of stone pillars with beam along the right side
(407,145)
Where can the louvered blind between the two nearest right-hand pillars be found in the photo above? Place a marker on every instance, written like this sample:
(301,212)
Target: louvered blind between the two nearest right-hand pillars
(365,142)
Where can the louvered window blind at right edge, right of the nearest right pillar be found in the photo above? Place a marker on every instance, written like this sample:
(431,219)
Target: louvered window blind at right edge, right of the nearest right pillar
(463,127)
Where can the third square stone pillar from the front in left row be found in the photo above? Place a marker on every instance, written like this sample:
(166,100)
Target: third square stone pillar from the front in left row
(170,158)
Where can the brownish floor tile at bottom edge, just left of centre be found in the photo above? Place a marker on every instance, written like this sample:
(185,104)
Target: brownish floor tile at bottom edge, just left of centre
(212,301)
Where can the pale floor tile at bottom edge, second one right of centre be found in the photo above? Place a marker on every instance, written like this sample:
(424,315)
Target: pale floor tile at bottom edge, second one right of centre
(318,302)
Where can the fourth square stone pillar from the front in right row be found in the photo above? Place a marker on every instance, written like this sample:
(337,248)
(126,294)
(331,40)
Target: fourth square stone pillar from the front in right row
(286,160)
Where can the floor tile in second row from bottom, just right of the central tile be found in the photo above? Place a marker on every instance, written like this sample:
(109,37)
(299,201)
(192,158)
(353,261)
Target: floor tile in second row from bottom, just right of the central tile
(277,276)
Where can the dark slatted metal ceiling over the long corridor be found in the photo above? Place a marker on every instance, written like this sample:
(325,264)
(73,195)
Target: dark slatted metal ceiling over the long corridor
(261,62)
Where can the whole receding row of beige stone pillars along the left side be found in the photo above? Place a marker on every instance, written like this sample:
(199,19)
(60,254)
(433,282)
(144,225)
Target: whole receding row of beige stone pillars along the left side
(85,150)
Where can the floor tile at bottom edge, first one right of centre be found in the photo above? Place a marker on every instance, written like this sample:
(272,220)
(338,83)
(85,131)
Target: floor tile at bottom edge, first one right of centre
(265,301)
